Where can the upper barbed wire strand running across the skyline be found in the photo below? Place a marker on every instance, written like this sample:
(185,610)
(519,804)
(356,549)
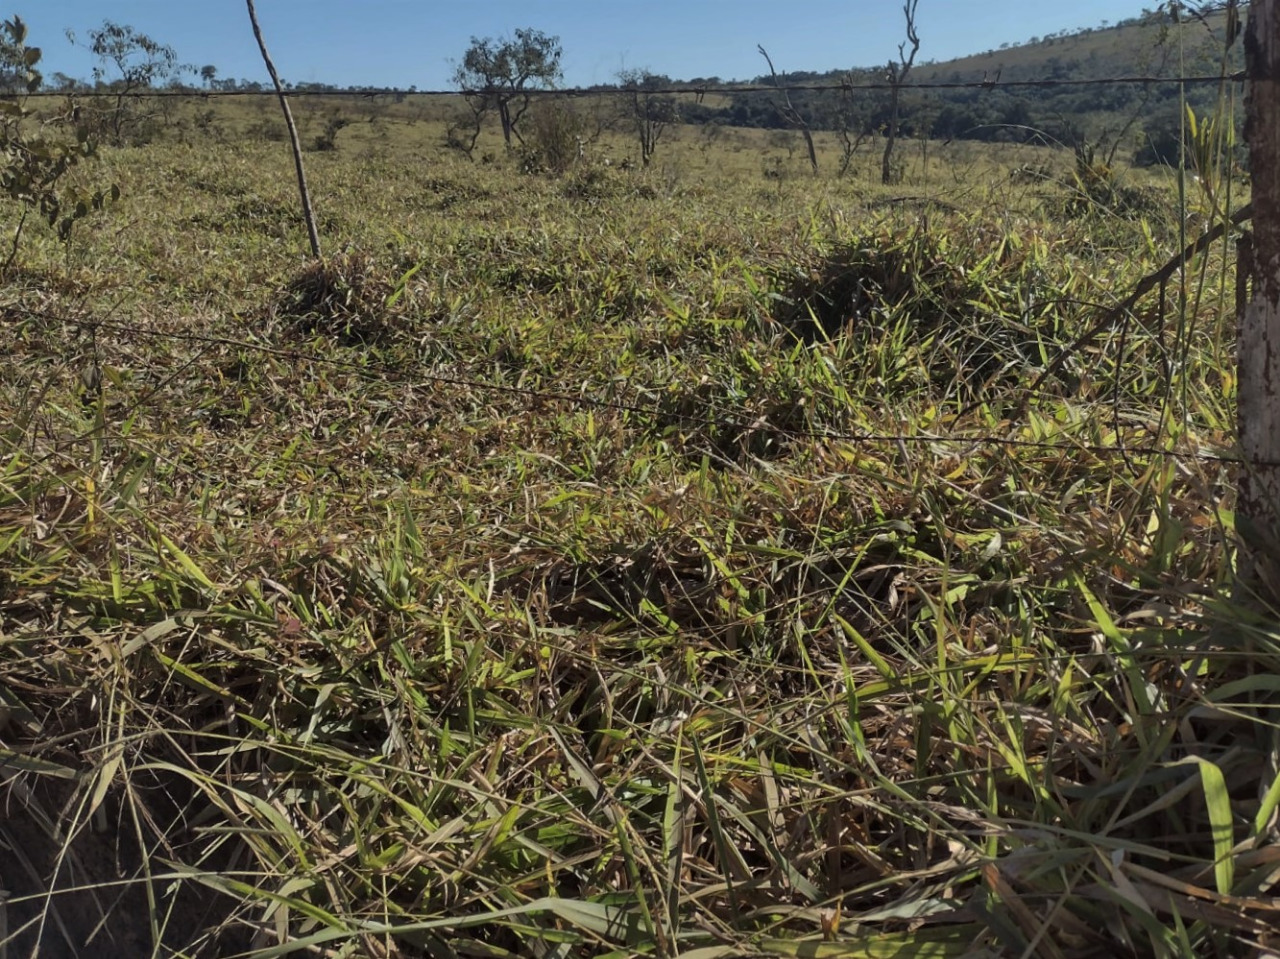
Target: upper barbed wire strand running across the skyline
(678,89)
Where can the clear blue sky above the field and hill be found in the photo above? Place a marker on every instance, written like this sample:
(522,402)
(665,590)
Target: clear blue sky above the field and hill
(404,43)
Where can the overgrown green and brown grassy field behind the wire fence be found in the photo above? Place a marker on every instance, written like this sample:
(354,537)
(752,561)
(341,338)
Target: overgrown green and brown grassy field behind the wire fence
(661,561)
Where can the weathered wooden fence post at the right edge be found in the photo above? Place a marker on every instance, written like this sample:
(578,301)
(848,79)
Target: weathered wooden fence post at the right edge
(1260,322)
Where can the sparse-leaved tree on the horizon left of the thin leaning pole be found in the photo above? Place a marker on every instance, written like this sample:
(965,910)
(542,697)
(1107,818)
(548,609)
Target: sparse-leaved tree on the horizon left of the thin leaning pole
(129,65)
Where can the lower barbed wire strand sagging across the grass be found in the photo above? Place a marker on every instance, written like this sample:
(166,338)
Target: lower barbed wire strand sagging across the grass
(747,419)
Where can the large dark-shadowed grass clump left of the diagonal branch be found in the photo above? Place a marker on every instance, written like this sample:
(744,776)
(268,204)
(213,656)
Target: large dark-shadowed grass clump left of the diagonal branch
(949,305)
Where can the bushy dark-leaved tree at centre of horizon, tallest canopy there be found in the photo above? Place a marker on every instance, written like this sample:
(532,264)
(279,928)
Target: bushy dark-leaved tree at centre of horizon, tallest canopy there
(501,75)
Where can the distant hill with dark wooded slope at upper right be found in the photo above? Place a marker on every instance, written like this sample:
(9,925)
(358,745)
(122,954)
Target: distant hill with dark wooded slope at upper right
(1135,121)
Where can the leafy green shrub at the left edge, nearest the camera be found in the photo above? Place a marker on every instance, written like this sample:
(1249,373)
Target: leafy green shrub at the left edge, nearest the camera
(35,163)
